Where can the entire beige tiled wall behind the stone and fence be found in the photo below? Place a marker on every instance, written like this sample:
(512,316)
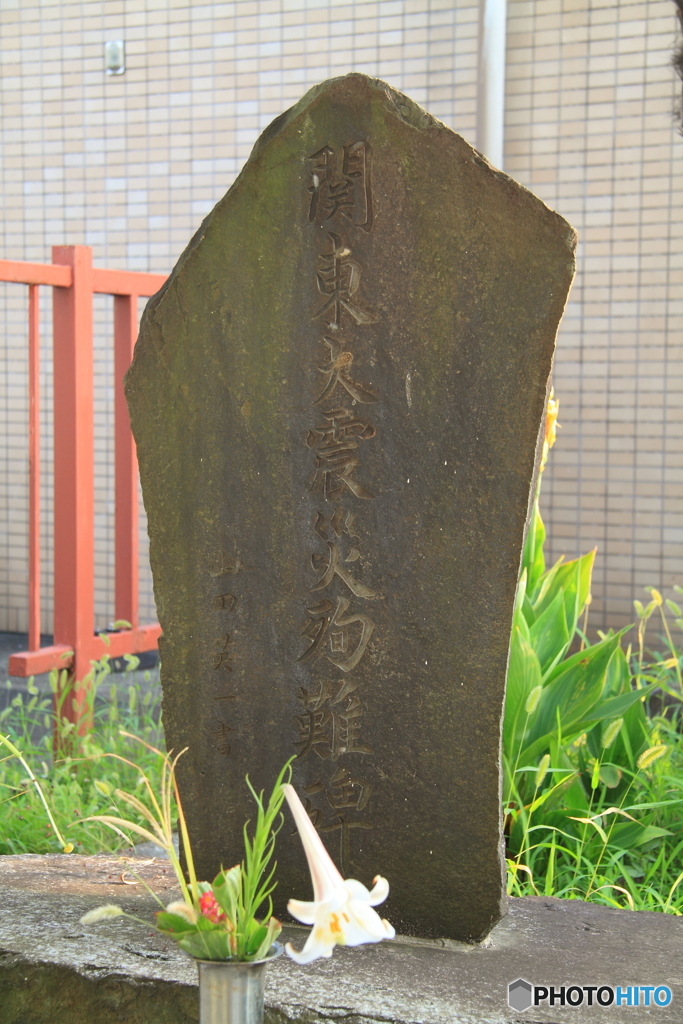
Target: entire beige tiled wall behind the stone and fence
(131,164)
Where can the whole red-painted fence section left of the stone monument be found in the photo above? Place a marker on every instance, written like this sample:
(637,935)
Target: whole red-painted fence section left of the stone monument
(75,281)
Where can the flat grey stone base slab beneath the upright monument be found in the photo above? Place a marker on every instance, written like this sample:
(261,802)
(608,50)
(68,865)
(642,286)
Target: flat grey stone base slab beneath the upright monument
(55,970)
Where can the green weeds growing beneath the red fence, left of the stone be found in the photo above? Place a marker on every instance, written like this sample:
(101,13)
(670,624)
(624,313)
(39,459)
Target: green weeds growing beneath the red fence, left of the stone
(78,784)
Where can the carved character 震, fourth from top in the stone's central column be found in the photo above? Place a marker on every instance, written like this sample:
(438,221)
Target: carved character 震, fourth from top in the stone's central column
(336,446)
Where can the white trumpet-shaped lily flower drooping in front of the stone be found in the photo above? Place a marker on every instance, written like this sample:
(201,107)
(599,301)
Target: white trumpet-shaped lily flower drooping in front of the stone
(343,910)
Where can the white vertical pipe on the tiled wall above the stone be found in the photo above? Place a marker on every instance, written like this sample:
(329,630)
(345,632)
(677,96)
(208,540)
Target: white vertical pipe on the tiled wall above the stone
(491,89)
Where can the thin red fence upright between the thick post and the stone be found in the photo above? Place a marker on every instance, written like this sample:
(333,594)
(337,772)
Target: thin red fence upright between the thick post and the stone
(126,536)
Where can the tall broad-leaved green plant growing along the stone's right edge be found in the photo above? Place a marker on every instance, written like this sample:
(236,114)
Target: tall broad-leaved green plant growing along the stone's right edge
(577,739)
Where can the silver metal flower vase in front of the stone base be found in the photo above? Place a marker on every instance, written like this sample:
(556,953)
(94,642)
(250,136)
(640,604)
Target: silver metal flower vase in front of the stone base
(233,992)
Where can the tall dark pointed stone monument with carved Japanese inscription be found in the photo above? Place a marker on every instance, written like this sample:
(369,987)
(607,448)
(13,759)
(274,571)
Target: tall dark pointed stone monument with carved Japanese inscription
(336,401)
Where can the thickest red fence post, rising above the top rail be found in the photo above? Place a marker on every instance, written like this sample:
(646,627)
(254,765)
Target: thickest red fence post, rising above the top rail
(74,471)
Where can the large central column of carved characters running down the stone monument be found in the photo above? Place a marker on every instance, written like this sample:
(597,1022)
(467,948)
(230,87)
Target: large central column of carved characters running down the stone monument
(337,624)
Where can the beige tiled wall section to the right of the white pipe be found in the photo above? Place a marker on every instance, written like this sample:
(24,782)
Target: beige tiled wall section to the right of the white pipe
(590,130)
